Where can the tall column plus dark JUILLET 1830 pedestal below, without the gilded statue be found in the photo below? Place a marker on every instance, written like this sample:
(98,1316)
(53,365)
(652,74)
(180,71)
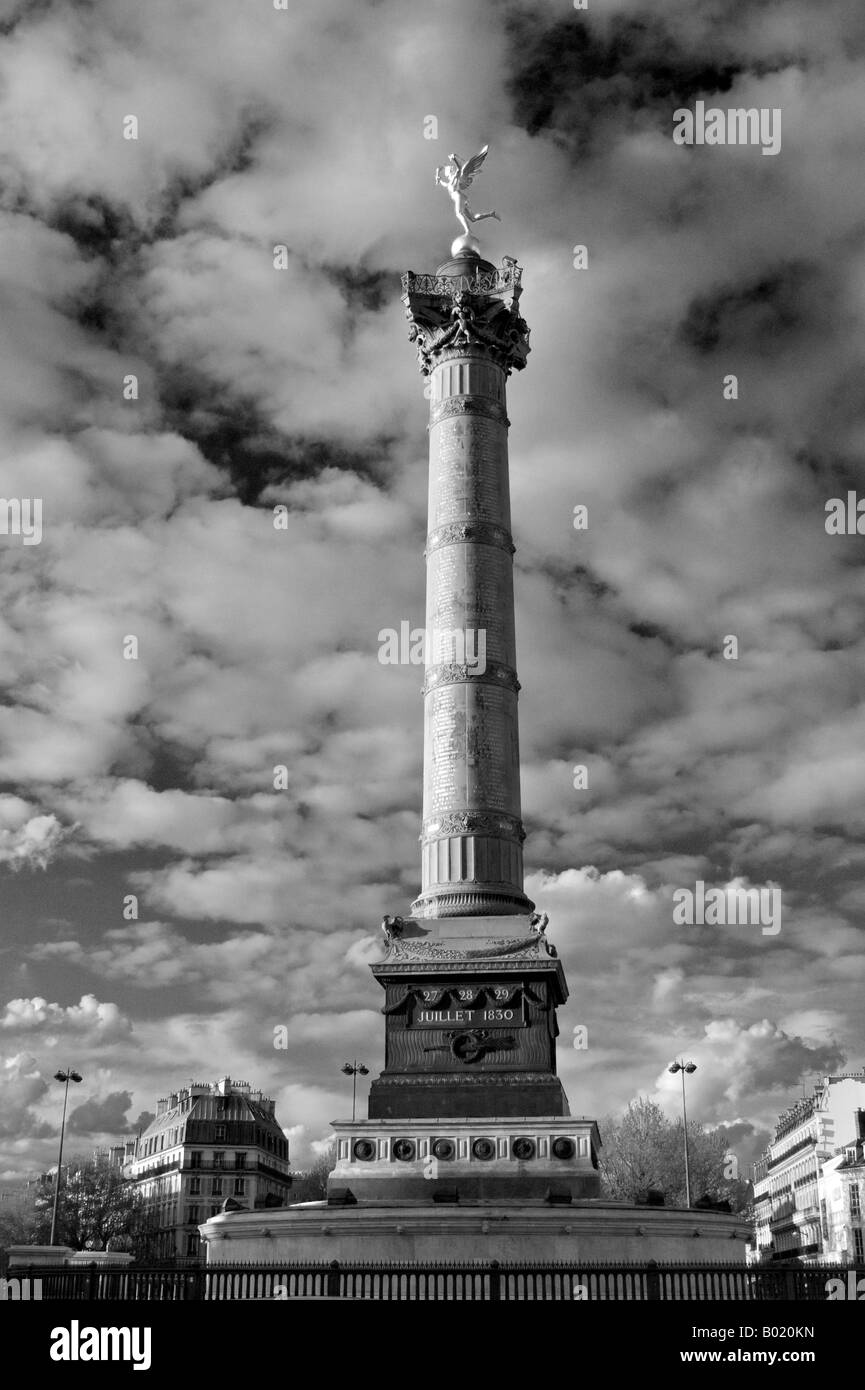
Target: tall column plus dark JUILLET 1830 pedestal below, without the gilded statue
(472,985)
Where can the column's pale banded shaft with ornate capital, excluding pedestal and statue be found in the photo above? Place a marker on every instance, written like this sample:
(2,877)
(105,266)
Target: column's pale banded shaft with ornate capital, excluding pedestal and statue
(469,336)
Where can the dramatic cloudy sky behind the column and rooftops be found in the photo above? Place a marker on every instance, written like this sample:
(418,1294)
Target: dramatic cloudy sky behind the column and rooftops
(257,647)
